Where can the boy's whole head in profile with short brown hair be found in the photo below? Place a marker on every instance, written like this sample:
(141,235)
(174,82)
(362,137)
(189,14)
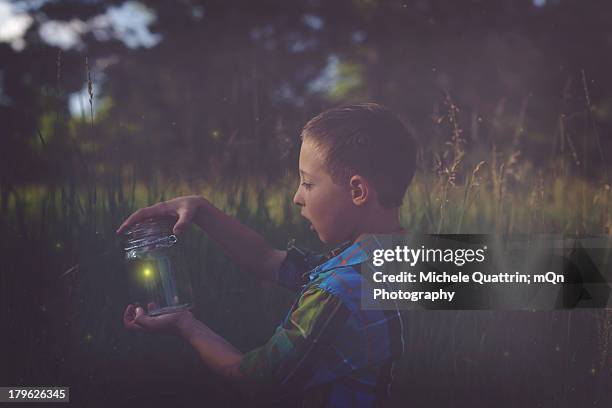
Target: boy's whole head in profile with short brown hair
(356,162)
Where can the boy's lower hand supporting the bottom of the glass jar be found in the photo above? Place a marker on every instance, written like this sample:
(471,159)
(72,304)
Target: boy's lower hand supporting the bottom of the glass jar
(134,318)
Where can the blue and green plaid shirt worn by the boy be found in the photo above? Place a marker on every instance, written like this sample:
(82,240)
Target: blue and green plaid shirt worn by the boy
(327,351)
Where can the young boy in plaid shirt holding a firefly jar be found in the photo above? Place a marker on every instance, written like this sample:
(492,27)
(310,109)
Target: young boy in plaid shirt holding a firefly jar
(355,164)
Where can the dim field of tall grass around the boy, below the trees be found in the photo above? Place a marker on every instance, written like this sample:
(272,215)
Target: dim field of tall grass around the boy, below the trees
(63,287)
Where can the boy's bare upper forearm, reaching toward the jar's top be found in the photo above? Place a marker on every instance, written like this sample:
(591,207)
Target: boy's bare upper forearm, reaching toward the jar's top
(246,247)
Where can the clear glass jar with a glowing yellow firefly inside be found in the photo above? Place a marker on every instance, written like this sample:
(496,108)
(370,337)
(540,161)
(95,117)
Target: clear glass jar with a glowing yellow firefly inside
(158,281)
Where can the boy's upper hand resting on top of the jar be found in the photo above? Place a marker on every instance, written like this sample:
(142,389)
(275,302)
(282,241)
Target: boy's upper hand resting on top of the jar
(184,208)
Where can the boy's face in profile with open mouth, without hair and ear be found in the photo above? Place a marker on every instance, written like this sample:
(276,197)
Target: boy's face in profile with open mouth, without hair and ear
(328,206)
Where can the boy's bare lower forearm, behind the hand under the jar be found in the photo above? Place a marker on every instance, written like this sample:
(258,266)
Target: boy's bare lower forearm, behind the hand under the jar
(219,355)
